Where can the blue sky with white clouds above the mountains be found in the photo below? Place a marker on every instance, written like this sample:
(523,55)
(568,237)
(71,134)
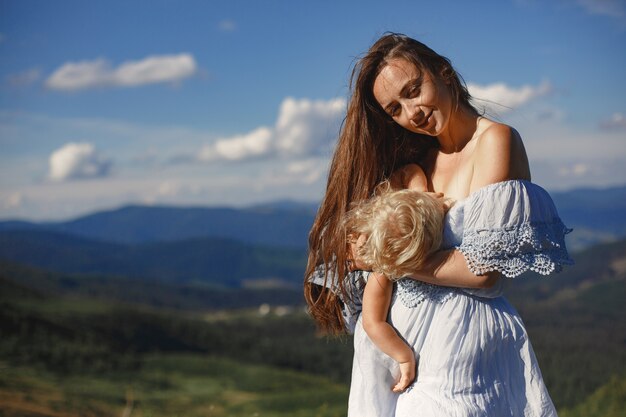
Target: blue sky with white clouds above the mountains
(108,103)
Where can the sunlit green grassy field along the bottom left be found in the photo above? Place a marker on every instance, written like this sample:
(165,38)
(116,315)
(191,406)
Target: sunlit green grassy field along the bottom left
(171,385)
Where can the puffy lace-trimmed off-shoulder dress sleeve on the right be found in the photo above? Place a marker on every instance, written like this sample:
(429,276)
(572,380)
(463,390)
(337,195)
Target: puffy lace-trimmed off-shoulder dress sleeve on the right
(513,227)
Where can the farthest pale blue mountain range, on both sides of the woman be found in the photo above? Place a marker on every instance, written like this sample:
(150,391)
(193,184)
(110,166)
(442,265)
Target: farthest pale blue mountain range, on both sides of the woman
(597,215)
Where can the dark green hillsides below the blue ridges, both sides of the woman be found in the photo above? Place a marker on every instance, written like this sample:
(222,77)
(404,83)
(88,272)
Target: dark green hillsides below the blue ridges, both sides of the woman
(78,346)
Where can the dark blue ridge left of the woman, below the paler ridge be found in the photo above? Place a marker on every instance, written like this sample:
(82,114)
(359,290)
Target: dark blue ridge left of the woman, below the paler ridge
(210,260)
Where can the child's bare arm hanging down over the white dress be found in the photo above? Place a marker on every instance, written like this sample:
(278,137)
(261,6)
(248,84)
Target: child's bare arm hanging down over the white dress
(376,300)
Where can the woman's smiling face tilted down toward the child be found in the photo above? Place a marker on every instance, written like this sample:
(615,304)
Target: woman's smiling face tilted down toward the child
(414,99)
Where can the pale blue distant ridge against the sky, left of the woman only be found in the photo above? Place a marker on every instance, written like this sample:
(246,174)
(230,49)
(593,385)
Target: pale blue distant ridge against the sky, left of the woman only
(280,224)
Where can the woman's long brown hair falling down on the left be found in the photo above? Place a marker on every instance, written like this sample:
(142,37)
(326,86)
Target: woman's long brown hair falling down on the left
(370,147)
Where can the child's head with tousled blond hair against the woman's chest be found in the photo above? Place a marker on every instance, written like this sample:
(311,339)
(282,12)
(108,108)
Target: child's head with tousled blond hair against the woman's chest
(401,228)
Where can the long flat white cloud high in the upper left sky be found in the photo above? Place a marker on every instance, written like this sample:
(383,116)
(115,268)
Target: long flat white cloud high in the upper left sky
(73,76)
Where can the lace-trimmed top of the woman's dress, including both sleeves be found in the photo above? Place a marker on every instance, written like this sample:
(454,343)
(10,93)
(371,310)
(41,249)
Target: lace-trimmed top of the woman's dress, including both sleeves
(510,227)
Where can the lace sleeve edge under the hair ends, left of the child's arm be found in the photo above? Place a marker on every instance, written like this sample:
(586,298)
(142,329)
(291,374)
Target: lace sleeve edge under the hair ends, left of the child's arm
(354,285)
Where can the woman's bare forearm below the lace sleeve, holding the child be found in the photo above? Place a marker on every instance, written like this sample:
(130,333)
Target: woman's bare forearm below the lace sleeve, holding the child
(449,268)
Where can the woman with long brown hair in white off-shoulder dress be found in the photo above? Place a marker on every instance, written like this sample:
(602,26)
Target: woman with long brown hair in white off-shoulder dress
(408,105)
